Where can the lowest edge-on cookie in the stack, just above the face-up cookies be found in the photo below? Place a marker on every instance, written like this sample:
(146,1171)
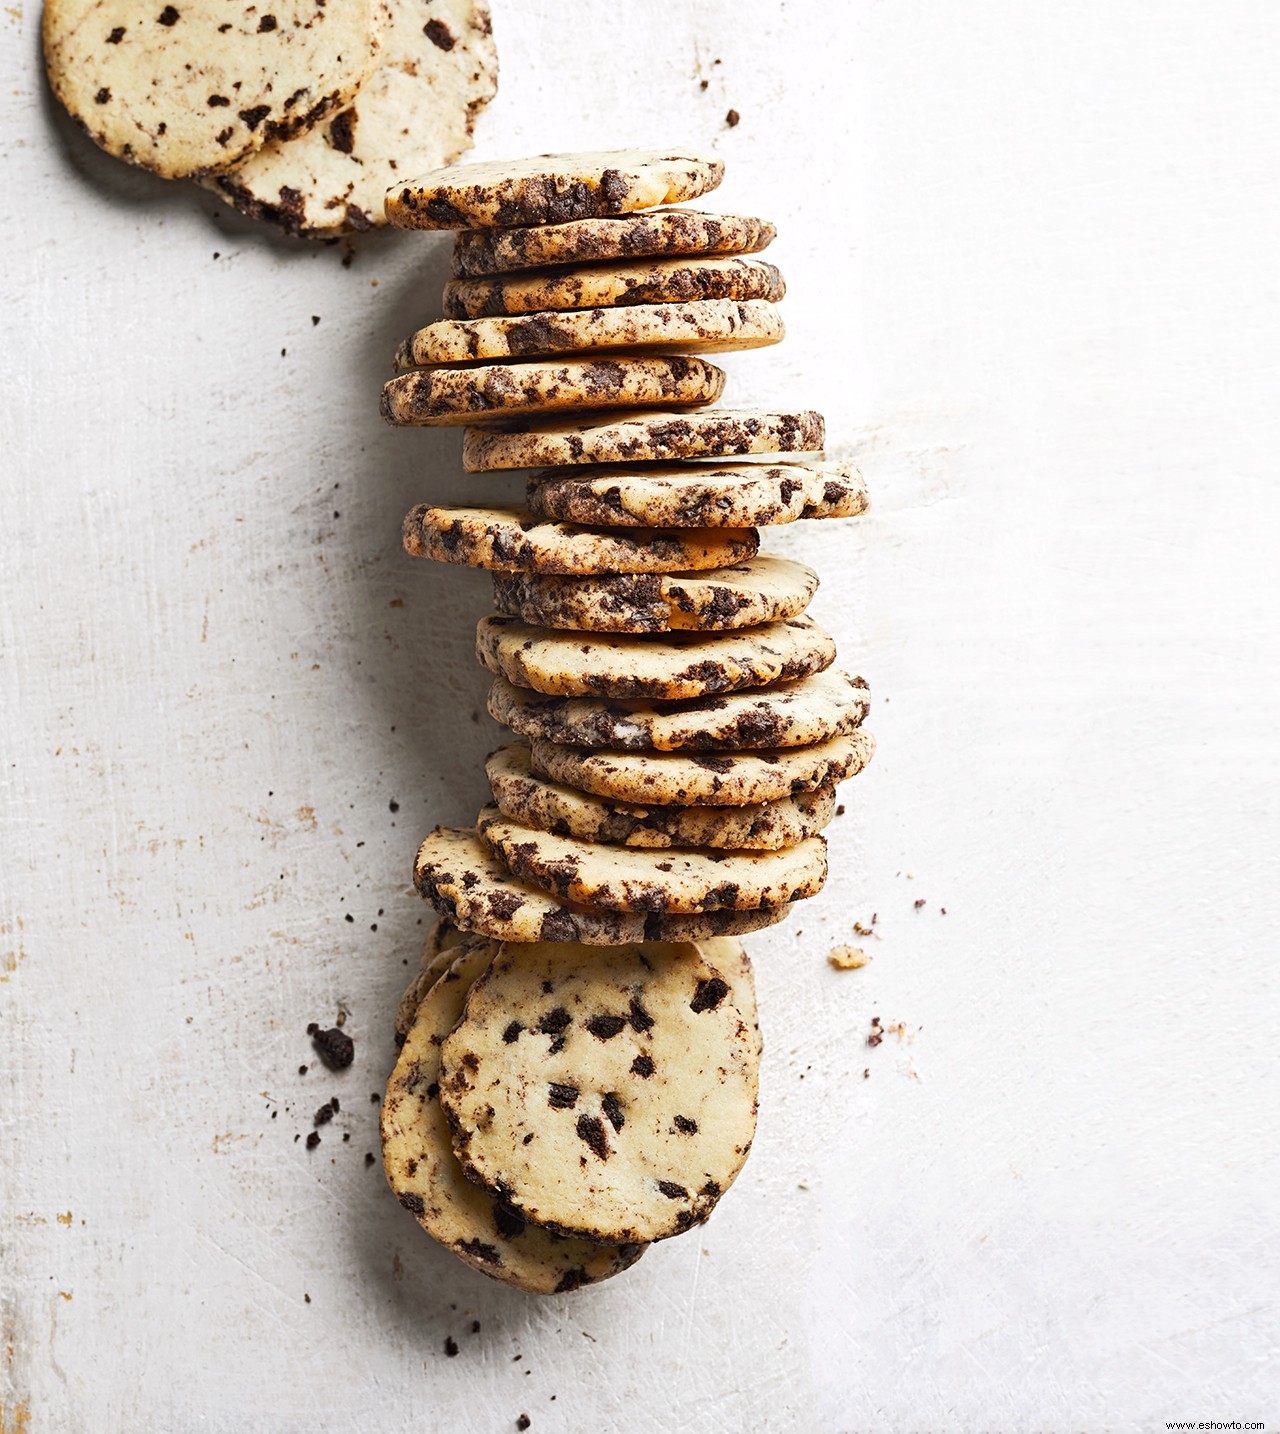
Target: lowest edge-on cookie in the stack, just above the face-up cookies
(468,885)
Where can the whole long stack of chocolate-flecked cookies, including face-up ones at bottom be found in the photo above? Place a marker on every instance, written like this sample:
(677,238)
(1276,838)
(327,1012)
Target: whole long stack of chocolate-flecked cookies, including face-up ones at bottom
(580,1049)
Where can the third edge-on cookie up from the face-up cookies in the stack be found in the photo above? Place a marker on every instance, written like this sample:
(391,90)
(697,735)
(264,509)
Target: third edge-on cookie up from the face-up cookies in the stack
(551,807)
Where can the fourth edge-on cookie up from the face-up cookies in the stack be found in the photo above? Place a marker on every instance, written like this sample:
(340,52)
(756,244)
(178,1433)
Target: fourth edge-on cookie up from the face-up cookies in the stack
(720,779)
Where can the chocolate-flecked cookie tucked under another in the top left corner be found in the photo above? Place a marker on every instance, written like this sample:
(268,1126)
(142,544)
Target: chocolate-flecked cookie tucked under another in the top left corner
(414,114)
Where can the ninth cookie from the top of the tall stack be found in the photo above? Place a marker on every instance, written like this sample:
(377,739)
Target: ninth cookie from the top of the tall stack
(760,590)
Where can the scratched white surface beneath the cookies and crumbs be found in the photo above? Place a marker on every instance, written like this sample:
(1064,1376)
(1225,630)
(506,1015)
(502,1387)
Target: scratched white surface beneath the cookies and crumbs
(1031,255)
